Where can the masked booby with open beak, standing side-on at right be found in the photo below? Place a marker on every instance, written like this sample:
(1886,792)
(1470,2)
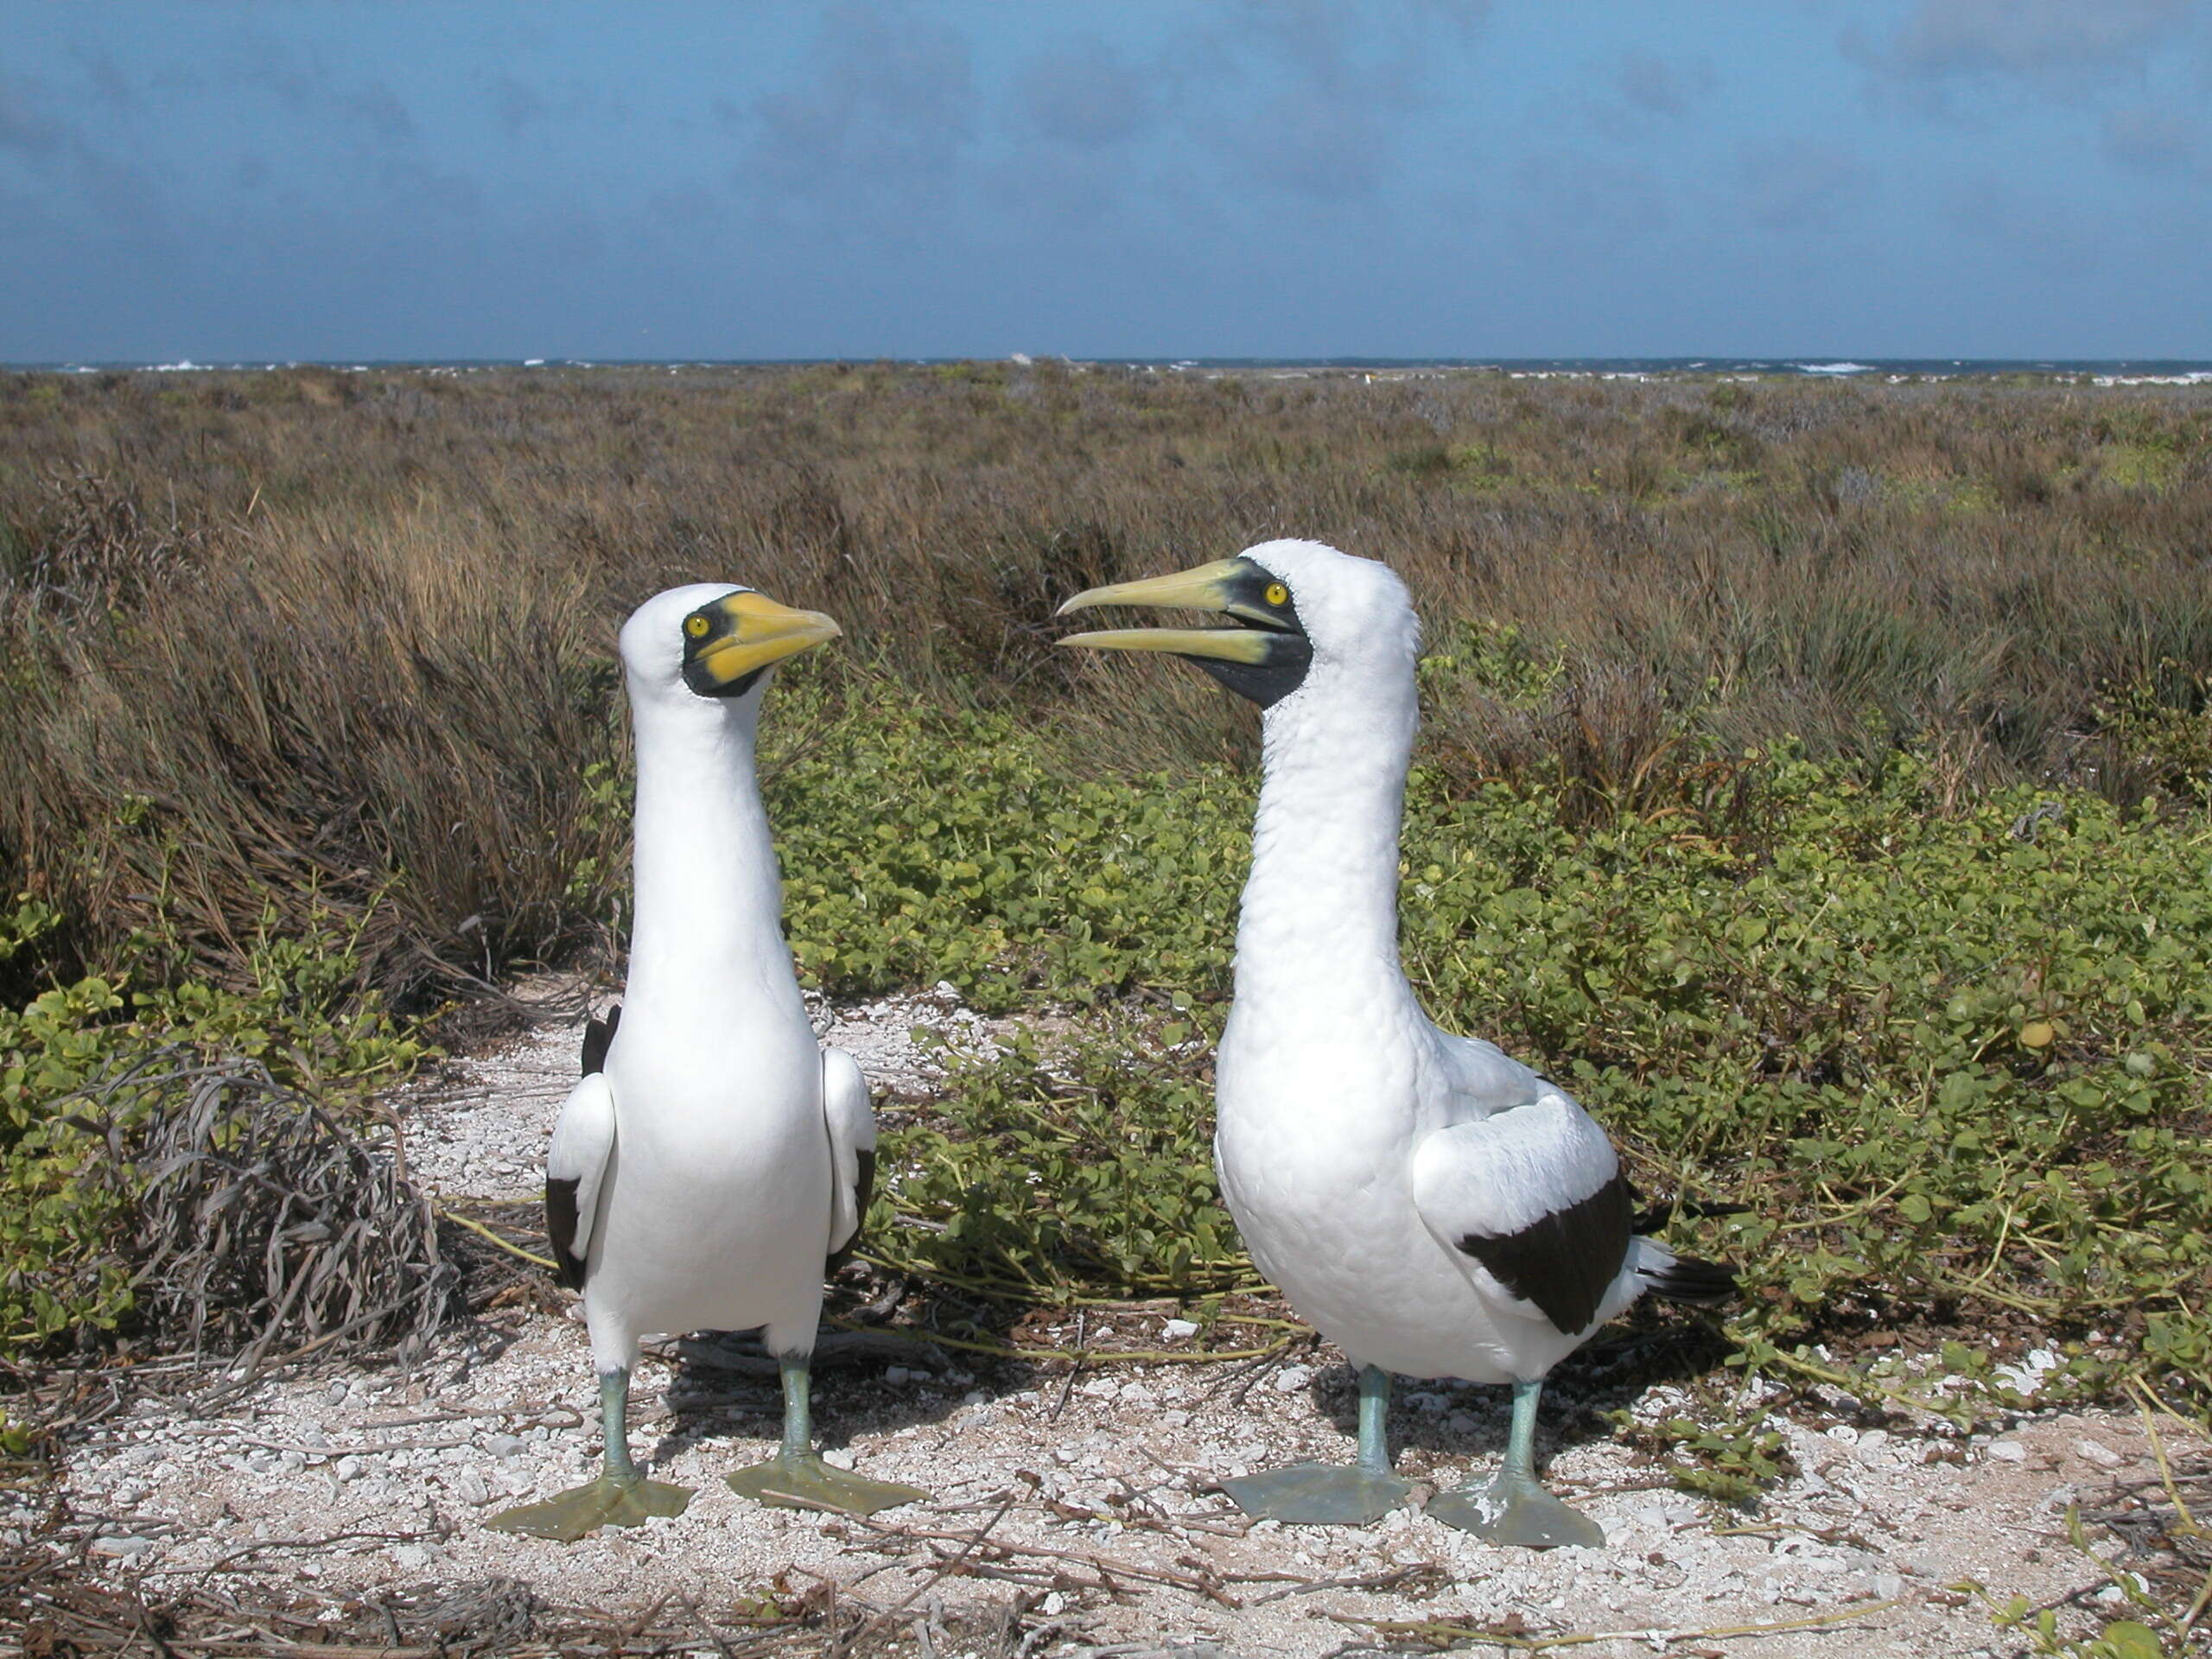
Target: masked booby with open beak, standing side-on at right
(1430,1204)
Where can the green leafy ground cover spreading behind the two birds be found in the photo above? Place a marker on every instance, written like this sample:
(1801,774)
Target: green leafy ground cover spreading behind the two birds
(1952,1067)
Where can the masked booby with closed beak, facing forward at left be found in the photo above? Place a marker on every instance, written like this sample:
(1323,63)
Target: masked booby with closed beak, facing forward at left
(713,1156)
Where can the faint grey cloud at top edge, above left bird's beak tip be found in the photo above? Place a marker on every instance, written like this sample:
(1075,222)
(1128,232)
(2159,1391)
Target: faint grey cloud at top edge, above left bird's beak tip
(890,109)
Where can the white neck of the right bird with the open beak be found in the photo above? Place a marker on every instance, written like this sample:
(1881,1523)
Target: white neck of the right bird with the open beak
(1319,924)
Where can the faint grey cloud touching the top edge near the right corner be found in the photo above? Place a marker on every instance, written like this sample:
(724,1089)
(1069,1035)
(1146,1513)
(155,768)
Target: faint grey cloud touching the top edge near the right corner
(2056,45)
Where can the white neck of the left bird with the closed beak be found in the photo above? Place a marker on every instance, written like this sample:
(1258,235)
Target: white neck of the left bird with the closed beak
(709,890)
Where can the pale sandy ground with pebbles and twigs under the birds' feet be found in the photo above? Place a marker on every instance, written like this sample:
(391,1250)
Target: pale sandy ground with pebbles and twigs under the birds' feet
(1089,1494)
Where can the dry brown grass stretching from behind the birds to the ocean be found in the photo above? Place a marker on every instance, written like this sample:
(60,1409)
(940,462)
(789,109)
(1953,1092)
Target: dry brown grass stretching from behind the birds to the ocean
(346,636)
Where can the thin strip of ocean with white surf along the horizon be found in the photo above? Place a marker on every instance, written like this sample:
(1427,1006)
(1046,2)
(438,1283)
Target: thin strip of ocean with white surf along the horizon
(1609,368)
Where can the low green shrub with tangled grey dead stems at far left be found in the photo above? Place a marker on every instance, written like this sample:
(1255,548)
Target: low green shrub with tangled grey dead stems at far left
(167,1167)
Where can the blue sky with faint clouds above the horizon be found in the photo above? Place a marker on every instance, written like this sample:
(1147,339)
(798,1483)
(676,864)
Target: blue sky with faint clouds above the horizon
(1218,178)
